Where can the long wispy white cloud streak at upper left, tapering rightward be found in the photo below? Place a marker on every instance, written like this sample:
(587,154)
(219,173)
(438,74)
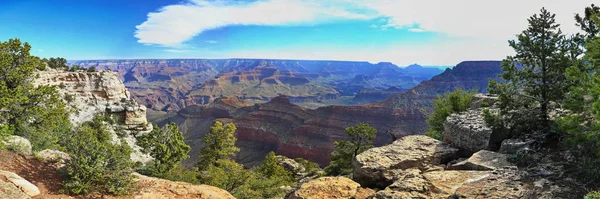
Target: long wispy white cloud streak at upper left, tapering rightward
(175,24)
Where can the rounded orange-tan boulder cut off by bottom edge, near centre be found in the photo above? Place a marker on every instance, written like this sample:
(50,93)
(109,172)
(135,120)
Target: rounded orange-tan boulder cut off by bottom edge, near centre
(329,187)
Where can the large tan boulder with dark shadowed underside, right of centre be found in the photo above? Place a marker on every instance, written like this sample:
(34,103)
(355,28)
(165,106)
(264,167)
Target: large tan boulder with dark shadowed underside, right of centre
(379,167)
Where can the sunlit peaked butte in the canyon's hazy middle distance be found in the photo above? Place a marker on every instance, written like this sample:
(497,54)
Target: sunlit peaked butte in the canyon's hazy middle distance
(260,82)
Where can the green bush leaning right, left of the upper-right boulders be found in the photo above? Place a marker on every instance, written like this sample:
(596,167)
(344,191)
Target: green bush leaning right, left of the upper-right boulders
(443,106)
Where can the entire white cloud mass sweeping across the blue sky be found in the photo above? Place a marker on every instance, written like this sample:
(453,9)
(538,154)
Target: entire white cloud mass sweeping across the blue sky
(480,27)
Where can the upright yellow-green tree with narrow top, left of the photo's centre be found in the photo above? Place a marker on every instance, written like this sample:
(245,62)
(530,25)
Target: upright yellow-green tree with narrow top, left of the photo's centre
(220,144)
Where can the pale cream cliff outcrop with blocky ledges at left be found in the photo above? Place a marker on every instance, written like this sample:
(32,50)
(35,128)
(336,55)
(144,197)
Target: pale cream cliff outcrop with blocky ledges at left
(92,93)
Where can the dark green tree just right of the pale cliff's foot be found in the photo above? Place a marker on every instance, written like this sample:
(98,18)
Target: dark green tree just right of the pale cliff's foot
(166,146)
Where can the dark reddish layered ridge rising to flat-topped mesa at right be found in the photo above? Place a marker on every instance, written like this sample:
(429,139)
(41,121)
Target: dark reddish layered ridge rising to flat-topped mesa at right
(294,131)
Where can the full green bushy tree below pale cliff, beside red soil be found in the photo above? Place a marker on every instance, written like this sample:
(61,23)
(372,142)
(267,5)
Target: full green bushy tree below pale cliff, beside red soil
(96,164)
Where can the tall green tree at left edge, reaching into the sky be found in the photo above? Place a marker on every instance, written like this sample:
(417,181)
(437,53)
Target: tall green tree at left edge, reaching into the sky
(34,112)
